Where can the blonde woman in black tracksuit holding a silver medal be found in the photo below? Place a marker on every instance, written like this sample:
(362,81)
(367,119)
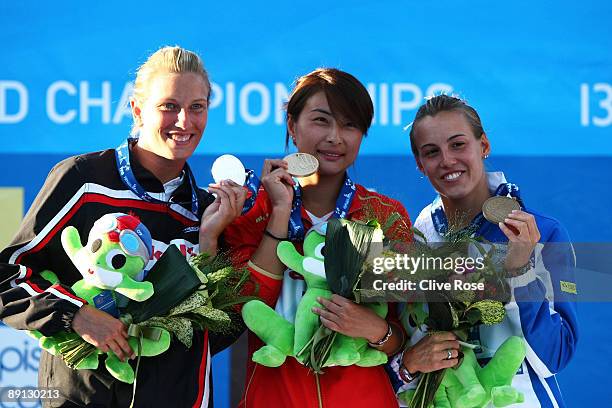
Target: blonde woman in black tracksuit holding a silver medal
(149,177)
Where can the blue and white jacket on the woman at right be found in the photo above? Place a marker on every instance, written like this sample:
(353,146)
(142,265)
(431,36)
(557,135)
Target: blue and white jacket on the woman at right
(542,310)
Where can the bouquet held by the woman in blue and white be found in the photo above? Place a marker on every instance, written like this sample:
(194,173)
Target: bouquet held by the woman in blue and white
(455,305)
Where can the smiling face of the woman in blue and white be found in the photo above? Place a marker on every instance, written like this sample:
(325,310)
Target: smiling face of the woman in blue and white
(450,155)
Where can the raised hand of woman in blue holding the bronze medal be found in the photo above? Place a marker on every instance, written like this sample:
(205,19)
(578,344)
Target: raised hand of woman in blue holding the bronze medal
(523,235)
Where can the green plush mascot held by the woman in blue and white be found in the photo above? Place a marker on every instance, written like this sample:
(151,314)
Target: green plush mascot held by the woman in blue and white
(472,386)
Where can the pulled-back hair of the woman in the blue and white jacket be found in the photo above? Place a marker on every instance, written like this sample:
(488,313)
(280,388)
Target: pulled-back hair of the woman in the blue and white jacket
(445,103)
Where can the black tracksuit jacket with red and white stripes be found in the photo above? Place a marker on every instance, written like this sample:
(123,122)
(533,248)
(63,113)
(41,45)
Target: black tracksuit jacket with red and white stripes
(77,192)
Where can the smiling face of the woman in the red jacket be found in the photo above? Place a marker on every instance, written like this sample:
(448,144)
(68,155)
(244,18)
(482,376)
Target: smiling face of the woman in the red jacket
(335,143)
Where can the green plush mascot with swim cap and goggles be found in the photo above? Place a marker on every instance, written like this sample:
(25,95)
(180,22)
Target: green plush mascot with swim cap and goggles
(117,251)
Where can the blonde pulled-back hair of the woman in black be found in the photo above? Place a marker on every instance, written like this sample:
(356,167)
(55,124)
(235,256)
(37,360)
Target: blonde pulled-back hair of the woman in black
(174,60)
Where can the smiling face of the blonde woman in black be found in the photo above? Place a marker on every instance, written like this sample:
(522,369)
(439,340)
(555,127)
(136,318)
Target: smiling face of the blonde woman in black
(172,117)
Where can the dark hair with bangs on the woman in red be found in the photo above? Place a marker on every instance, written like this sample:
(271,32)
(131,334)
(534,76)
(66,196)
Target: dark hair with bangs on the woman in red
(348,99)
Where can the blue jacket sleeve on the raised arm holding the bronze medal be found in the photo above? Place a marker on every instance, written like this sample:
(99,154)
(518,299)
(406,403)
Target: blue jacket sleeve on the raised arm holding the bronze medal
(546,297)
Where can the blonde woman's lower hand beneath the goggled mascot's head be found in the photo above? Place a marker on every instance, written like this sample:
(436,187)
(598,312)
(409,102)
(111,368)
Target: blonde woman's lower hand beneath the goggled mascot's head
(103,331)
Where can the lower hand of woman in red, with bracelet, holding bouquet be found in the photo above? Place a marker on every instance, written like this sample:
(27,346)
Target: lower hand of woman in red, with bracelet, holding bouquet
(347,317)
